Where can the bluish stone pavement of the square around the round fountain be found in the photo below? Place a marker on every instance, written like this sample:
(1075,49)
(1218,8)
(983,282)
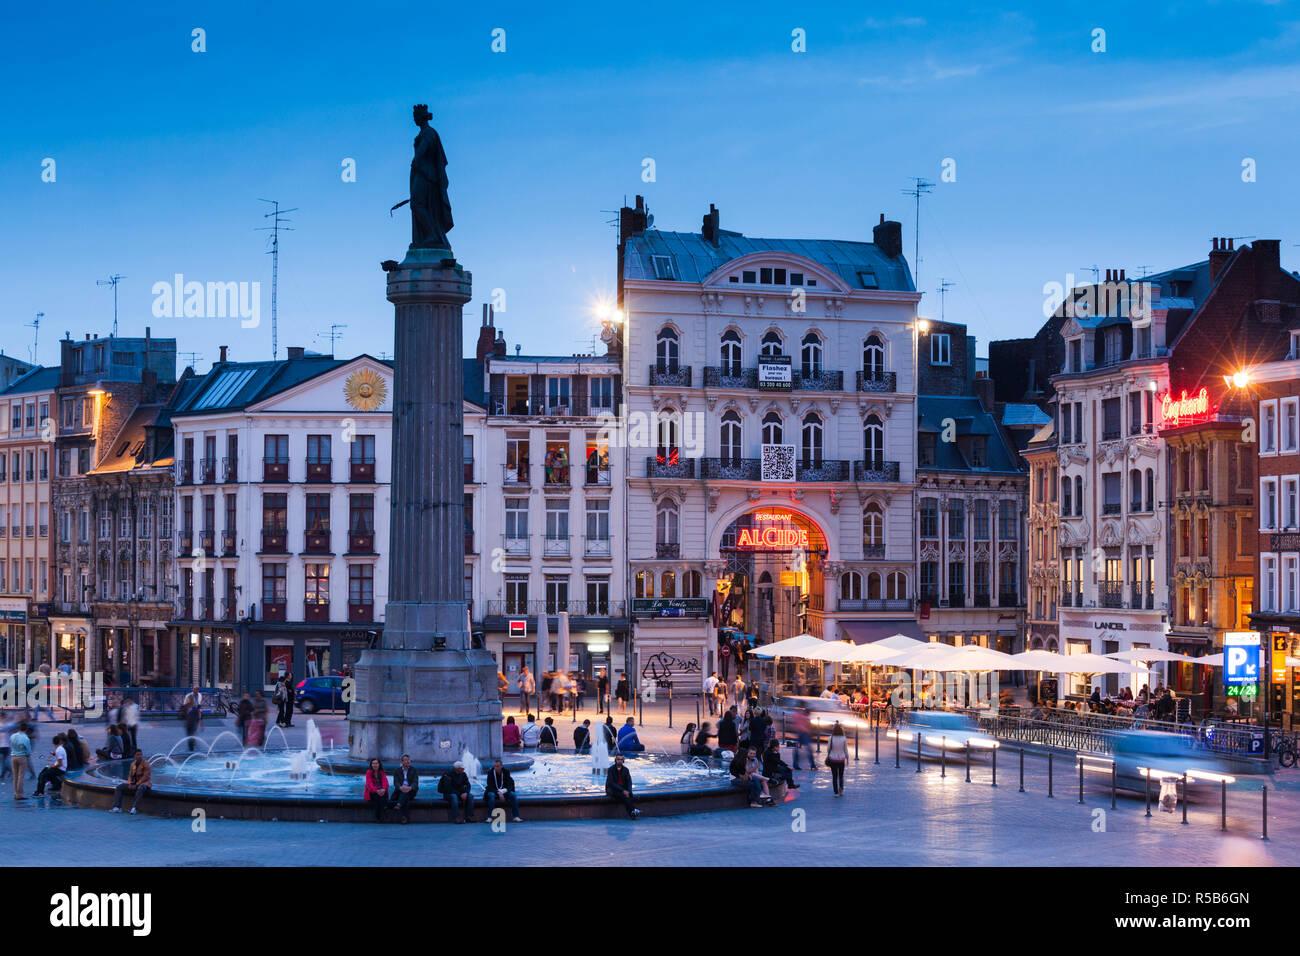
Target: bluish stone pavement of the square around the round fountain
(889,817)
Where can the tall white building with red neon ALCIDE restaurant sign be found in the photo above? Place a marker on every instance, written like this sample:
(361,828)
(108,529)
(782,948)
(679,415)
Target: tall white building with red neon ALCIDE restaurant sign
(772,439)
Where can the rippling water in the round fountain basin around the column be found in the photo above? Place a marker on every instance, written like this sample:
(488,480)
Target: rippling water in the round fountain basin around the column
(265,788)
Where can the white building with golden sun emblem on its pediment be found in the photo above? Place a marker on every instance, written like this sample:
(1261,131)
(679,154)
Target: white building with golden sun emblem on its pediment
(281,518)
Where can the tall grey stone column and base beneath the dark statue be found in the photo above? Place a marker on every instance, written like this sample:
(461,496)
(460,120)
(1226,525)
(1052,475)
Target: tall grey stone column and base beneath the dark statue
(426,691)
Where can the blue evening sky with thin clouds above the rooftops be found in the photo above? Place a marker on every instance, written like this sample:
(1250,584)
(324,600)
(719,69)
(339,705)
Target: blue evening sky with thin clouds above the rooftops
(1065,158)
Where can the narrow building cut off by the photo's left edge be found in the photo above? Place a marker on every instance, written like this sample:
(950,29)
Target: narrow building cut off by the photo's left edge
(27,560)
